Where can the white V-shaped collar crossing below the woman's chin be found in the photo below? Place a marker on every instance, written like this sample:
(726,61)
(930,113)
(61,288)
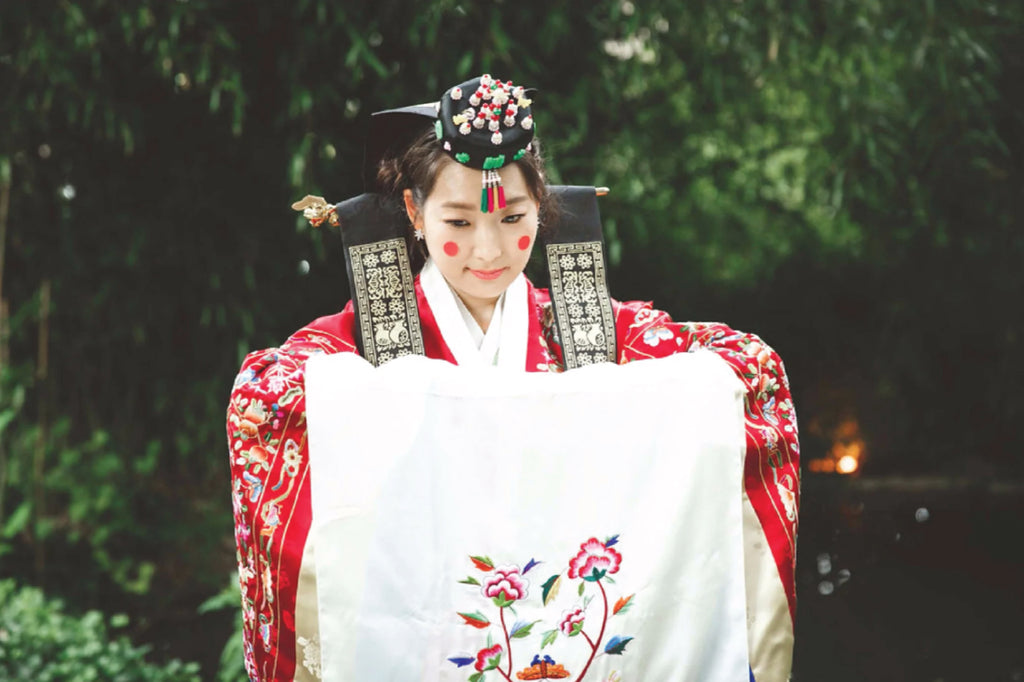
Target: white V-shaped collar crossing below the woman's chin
(506,340)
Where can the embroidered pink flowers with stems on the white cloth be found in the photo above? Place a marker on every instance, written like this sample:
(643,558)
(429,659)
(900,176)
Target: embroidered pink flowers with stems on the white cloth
(504,586)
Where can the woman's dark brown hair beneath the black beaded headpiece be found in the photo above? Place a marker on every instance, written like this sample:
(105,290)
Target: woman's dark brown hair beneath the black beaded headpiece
(417,169)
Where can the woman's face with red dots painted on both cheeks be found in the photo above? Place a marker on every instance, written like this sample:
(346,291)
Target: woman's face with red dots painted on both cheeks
(480,254)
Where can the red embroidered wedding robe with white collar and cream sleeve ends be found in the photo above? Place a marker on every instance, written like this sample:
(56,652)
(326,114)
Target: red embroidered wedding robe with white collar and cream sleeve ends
(271,477)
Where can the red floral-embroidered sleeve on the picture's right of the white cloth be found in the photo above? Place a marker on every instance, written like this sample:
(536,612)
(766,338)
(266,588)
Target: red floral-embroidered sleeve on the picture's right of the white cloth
(773,467)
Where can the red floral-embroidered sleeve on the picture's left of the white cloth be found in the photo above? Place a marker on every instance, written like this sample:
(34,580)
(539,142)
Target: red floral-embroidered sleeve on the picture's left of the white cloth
(267,437)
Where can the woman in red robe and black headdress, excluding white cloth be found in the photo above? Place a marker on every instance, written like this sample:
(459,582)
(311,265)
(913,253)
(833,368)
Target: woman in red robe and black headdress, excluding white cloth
(467,178)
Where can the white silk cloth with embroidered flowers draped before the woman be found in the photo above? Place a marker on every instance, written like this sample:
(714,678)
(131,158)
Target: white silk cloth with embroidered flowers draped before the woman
(456,508)
